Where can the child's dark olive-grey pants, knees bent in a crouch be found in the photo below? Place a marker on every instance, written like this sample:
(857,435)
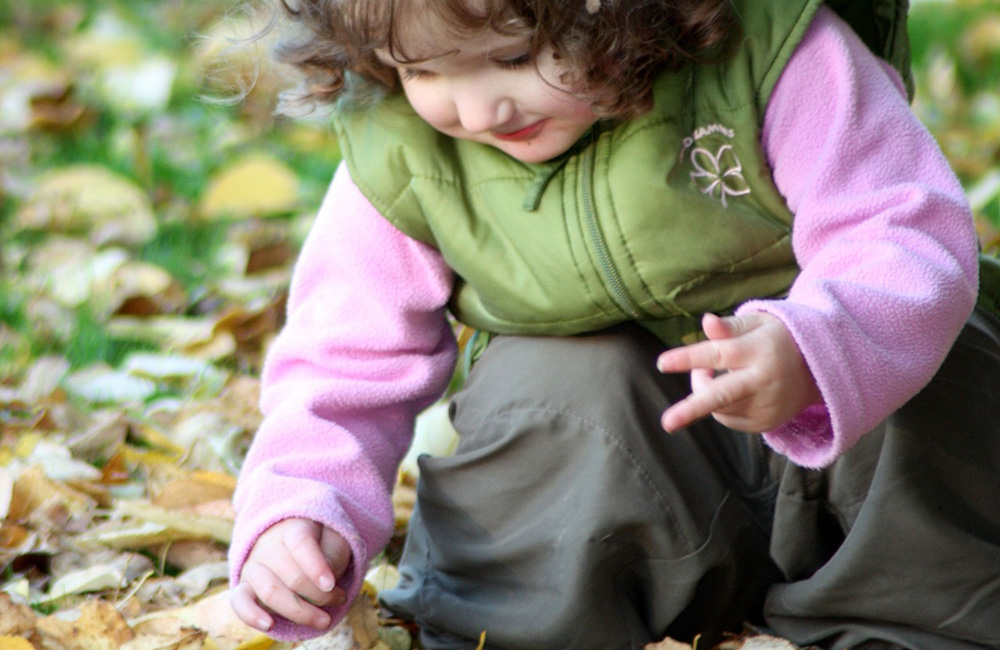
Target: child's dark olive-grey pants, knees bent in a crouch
(568,519)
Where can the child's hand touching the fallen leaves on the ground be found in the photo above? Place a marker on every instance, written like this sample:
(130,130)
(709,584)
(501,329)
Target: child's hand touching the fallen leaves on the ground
(292,571)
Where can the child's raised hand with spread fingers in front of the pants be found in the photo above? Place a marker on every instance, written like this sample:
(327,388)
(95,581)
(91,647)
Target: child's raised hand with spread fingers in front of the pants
(749,375)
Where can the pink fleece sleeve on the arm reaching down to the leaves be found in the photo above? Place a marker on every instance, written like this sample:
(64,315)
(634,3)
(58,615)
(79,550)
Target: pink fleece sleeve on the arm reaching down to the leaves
(365,348)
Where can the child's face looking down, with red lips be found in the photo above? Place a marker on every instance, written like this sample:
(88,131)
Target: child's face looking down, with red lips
(486,88)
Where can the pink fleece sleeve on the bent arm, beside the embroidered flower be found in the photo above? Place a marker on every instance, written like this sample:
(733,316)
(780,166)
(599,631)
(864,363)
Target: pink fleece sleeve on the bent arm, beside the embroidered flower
(882,232)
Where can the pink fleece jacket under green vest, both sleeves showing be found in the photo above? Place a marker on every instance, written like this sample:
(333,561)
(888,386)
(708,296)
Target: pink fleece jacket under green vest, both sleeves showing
(882,233)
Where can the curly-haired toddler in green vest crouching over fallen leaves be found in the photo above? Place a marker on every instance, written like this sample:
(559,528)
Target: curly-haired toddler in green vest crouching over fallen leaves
(681,223)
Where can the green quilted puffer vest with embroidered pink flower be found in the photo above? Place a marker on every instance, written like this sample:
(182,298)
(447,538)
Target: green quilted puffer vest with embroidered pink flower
(657,220)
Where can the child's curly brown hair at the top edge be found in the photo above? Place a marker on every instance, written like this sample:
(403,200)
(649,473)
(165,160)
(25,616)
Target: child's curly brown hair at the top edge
(615,48)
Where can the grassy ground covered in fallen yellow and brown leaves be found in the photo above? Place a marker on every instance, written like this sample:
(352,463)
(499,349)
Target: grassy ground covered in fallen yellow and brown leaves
(146,240)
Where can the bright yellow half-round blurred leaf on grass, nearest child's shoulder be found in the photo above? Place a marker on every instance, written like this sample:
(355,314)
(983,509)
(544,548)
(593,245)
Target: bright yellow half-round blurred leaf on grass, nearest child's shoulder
(255,185)
